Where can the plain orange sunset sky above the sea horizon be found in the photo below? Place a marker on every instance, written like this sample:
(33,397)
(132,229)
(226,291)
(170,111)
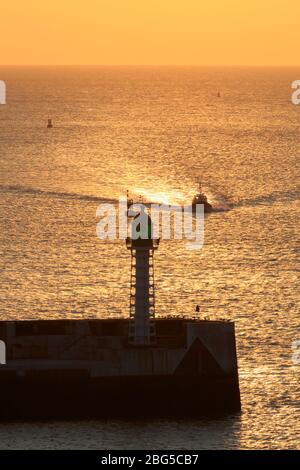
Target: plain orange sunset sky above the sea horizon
(141,32)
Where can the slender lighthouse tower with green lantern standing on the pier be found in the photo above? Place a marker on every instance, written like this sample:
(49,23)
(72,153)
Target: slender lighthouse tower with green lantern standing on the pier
(142,289)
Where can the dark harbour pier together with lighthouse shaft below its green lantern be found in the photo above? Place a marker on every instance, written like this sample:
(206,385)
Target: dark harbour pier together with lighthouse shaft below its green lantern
(125,367)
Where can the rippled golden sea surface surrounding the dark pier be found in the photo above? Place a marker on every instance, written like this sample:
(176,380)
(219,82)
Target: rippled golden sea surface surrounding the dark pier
(156,131)
